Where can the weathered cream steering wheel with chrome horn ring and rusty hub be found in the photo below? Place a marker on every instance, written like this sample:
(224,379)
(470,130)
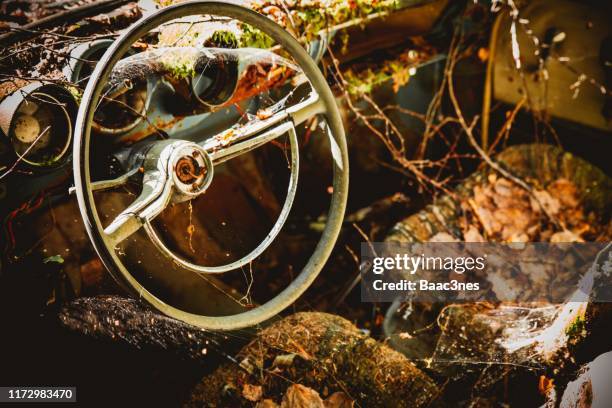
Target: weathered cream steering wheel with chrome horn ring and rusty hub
(169,175)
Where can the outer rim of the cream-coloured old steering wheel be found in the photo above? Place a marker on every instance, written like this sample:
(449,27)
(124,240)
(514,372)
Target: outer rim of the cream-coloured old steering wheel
(339,153)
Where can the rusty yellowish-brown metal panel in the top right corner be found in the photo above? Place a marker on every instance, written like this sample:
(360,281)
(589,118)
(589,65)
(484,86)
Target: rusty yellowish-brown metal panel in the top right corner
(581,31)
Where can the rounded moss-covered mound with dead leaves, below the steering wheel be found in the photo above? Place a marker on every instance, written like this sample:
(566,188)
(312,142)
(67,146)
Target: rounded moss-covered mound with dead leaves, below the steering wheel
(321,351)
